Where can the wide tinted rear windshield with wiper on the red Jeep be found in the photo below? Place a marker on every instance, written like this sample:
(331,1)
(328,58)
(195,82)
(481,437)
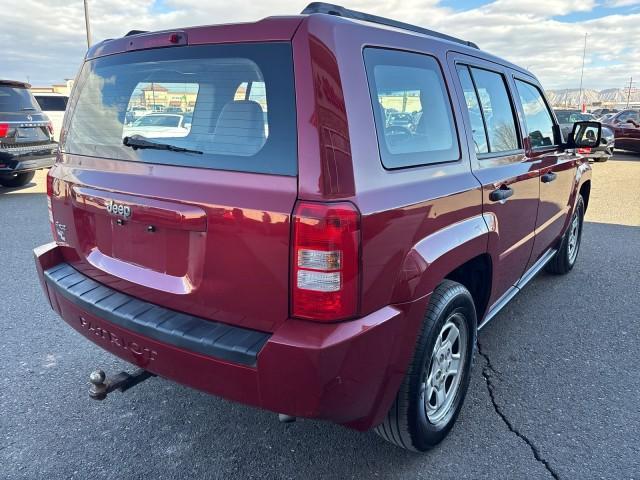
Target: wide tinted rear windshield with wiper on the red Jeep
(231,107)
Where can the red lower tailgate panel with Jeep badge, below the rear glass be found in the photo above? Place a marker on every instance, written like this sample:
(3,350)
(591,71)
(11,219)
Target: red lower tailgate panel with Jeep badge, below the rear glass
(216,247)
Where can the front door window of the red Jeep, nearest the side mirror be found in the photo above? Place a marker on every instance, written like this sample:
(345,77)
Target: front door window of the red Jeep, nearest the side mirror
(537,116)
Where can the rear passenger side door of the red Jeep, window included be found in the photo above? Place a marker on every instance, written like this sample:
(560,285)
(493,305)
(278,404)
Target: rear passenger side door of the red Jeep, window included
(509,178)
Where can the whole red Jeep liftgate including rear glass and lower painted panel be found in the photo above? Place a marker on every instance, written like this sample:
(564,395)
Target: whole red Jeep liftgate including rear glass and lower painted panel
(194,217)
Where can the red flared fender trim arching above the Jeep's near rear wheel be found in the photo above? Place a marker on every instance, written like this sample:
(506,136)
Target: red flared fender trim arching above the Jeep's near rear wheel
(430,260)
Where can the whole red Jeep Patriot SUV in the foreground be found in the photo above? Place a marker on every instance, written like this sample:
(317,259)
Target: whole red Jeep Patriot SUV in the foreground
(270,234)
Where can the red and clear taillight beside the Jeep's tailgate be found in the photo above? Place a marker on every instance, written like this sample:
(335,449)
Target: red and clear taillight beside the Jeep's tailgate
(326,260)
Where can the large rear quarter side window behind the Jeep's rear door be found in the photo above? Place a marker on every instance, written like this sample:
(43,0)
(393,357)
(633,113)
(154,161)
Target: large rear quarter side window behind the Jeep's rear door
(412,109)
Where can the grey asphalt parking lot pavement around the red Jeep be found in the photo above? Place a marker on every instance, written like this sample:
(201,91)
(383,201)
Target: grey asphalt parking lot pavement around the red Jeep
(555,393)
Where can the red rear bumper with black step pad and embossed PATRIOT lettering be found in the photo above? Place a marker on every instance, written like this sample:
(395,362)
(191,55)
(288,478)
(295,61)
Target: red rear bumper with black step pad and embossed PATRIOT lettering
(347,372)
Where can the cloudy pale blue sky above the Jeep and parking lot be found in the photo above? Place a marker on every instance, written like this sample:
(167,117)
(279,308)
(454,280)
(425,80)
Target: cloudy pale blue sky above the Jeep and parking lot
(43,41)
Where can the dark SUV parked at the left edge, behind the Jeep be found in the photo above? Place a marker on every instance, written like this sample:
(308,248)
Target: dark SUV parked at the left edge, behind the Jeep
(26,135)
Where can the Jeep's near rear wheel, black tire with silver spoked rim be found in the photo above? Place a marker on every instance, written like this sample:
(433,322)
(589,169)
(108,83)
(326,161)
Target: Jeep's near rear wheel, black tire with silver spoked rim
(431,396)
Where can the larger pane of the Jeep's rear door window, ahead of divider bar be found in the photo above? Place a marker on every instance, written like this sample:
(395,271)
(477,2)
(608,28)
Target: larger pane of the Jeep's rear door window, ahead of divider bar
(497,110)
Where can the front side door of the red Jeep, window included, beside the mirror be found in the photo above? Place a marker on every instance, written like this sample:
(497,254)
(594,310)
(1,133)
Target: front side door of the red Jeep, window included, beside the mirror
(557,168)
